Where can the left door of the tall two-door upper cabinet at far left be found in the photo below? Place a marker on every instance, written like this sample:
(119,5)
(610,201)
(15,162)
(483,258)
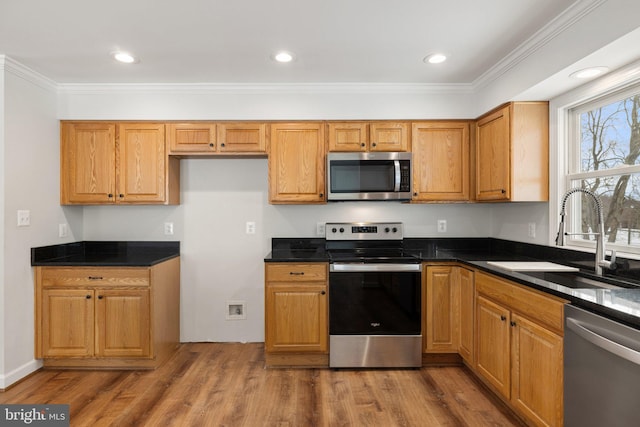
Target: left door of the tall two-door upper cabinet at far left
(88,163)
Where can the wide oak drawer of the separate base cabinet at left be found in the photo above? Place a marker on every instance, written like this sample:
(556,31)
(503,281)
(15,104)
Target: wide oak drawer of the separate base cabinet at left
(91,276)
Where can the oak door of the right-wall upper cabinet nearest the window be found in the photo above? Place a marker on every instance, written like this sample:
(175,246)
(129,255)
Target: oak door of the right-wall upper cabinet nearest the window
(493,156)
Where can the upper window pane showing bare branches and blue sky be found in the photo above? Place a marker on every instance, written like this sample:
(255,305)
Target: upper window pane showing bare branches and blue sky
(610,135)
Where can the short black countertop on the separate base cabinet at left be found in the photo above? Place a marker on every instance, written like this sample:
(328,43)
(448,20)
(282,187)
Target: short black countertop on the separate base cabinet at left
(105,254)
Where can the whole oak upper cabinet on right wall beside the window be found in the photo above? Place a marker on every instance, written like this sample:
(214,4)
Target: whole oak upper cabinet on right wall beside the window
(512,153)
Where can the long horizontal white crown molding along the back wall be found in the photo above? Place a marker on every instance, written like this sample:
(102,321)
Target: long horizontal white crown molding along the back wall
(266,88)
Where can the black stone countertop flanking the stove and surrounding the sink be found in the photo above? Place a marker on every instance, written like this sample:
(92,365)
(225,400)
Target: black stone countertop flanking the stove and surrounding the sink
(622,305)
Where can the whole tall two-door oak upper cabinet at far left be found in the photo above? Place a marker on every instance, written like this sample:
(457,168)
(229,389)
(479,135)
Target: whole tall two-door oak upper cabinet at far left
(117,163)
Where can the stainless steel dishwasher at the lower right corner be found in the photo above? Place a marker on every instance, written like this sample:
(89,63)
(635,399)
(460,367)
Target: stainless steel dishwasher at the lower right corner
(601,371)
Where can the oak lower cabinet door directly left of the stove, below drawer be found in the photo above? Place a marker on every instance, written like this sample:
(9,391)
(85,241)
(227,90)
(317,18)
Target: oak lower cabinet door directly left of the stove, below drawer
(296,317)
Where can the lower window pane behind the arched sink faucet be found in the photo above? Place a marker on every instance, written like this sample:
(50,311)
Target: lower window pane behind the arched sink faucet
(620,196)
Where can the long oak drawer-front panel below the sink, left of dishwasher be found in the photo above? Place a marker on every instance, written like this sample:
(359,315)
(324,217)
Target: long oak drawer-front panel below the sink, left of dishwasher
(546,310)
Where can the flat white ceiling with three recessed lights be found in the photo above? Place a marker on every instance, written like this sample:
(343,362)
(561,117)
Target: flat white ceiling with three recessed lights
(232,41)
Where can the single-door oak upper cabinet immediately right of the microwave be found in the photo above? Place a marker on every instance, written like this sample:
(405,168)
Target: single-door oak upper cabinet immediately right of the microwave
(440,161)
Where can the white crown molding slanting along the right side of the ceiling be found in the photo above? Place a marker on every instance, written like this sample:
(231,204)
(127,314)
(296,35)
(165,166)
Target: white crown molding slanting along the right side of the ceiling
(542,37)
